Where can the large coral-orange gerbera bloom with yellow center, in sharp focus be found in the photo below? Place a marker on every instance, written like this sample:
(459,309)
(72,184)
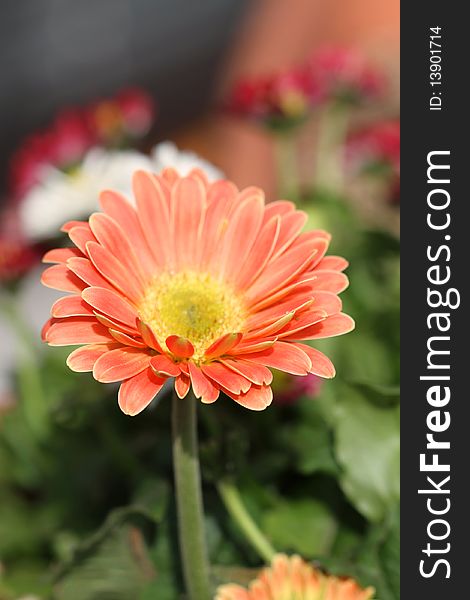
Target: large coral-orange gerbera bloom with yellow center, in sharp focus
(200,282)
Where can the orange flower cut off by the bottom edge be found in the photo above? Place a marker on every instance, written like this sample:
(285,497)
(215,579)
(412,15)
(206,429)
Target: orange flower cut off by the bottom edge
(291,578)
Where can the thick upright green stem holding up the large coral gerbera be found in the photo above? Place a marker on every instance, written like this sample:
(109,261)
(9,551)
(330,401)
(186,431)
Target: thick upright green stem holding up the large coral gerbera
(189,498)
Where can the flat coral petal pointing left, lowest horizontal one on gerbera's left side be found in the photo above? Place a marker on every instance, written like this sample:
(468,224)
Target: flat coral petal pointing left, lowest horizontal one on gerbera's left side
(76,331)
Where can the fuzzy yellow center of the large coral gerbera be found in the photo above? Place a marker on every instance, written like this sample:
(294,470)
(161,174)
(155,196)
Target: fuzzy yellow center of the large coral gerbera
(193,305)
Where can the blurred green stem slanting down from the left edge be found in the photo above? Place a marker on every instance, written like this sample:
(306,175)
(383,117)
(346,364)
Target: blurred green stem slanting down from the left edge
(33,400)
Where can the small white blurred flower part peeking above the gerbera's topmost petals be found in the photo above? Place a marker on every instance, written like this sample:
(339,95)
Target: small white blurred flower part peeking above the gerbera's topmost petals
(167,154)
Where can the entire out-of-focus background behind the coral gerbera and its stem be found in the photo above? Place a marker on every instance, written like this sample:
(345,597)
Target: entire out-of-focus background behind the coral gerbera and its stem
(300,98)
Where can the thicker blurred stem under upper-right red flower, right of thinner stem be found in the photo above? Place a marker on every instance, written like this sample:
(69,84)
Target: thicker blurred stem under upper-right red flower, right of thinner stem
(333,125)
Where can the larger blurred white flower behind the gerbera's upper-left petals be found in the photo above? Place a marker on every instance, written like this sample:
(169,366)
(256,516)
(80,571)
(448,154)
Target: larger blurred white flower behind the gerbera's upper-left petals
(62,197)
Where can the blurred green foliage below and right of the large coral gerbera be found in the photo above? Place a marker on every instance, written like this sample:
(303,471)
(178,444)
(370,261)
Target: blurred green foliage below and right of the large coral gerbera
(86,503)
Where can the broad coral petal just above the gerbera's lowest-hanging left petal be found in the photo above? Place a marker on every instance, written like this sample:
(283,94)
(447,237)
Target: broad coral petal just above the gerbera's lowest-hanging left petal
(120,364)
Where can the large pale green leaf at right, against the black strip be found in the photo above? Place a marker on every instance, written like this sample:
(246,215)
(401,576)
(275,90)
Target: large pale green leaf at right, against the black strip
(367,448)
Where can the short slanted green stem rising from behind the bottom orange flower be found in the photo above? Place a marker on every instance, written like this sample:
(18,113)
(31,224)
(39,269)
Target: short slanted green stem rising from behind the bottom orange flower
(234,505)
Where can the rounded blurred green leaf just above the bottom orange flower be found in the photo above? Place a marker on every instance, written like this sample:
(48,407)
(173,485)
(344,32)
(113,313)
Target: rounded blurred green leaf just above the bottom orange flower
(306,526)
